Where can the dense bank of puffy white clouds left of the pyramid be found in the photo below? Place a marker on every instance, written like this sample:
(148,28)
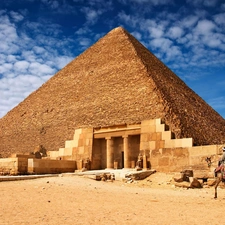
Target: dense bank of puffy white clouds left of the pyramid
(25,61)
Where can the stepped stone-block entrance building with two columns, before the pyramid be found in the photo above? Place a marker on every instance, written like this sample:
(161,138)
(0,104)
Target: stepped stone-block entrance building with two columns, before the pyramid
(118,147)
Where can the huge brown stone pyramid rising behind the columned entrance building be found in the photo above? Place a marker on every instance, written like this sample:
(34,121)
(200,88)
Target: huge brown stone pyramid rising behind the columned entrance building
(115,81)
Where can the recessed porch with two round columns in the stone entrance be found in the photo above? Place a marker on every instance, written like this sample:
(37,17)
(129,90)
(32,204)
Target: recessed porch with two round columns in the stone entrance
(116,147)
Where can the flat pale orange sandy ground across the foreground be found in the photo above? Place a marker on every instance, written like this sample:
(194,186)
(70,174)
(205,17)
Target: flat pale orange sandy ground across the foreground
(78,200)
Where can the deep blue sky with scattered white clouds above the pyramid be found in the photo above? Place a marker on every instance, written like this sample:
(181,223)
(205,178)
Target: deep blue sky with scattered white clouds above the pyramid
(39,37)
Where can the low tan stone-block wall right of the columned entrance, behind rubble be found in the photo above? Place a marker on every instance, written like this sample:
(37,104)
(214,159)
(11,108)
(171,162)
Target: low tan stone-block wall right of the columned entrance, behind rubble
(179,159)
